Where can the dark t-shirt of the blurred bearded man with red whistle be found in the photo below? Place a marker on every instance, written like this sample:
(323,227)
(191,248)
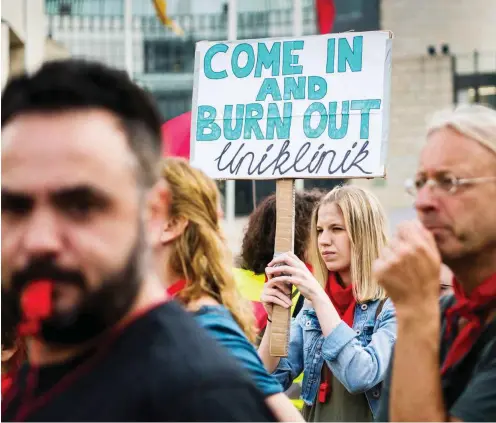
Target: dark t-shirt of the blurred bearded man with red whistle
(159,368)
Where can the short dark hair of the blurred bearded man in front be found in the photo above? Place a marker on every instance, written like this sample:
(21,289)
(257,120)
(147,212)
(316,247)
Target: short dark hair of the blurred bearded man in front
(77,84)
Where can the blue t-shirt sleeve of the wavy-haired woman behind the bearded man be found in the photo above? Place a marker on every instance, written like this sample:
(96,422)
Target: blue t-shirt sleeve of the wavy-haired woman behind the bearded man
(220,324)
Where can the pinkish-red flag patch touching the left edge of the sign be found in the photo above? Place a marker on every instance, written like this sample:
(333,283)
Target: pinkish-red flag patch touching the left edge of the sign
(175,136)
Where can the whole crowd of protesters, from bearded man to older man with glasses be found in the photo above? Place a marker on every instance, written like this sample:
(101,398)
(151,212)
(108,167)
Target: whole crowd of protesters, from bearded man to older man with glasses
(122,302)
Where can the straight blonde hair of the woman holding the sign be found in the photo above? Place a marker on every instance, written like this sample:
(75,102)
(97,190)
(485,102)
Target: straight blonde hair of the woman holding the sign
(366,225)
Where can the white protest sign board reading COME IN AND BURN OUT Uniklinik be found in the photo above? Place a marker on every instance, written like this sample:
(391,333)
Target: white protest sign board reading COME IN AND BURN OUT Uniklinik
(313,107)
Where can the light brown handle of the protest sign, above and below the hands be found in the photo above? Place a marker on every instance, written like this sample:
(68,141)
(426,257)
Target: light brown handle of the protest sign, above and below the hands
(285,217)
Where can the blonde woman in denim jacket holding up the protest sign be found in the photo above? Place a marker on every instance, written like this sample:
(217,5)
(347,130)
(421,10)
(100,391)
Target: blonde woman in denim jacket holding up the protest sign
(344,335)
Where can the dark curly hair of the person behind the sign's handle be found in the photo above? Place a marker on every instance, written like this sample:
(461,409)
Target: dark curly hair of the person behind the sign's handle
(257,249)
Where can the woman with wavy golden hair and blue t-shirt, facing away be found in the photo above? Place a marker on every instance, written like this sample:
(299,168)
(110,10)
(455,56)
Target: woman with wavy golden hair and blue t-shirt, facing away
(194,263)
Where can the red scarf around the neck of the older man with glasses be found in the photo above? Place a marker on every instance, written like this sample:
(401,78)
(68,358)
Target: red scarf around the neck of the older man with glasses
(475,308)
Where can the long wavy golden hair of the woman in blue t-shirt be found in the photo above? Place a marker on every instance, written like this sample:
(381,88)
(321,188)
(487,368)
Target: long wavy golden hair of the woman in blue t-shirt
(200,254)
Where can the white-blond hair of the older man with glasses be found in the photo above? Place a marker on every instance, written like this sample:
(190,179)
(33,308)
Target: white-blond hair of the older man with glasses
(472,120)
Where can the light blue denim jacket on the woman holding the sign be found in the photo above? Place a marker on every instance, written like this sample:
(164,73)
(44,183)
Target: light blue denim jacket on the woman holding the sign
(357,357)
